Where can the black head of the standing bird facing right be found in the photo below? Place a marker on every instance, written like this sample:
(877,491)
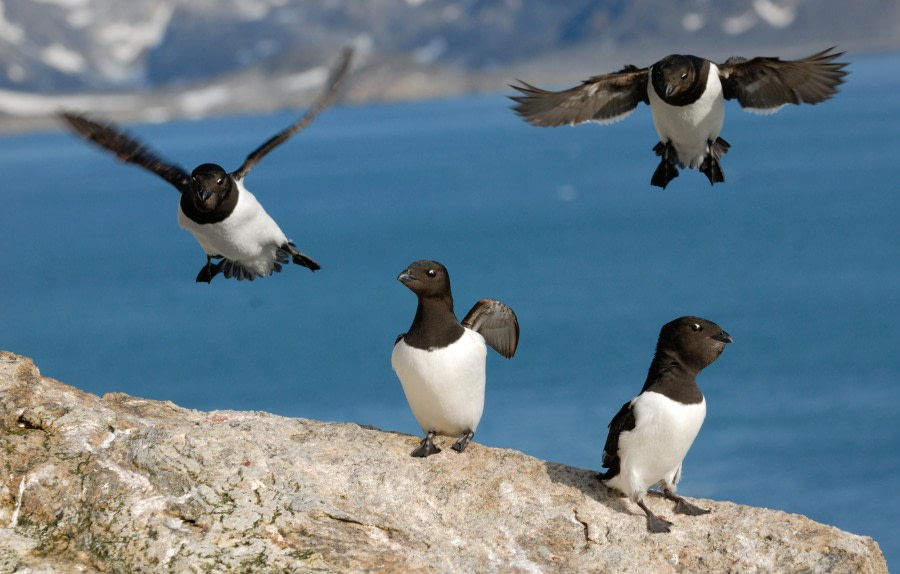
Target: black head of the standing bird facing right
(695,342)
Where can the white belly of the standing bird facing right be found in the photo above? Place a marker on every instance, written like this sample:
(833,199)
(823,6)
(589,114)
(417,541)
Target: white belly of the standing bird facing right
(653,451)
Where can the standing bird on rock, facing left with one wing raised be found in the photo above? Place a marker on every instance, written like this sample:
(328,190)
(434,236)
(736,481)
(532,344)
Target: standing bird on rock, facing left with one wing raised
(441,362)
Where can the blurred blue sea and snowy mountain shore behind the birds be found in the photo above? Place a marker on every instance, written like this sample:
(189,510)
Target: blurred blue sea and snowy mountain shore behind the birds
(797,254)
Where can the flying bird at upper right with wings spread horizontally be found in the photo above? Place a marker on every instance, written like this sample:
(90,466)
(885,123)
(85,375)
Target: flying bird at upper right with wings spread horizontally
(686,95)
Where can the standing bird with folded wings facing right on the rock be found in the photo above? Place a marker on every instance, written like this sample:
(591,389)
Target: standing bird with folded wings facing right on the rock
(651,434)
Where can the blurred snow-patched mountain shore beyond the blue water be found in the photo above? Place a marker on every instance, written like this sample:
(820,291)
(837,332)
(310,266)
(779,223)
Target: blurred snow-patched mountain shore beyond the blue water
(155,51)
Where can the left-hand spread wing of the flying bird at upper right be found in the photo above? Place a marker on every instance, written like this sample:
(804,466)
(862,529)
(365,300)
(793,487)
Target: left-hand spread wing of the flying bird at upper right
(604,99)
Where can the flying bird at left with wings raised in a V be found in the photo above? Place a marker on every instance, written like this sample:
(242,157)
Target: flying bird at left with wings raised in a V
(225,218)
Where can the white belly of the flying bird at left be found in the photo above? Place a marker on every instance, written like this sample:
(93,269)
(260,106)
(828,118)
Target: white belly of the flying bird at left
(249,236)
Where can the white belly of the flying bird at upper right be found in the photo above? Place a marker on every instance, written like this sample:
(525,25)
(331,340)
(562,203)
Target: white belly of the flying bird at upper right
(690,128)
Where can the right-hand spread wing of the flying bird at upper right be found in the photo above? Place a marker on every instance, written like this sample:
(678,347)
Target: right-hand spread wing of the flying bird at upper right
(764,85)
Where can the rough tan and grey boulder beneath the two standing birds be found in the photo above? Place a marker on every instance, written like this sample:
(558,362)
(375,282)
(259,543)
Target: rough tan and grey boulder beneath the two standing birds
(123,484)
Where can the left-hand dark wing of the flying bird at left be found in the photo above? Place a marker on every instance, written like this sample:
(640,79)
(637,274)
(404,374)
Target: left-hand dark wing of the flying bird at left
(127,148)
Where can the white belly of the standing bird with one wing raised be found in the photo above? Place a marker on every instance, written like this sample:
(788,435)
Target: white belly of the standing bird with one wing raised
(444,387)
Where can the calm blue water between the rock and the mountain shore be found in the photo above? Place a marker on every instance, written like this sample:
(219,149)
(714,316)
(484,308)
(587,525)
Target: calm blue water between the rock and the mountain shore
(797,256)
